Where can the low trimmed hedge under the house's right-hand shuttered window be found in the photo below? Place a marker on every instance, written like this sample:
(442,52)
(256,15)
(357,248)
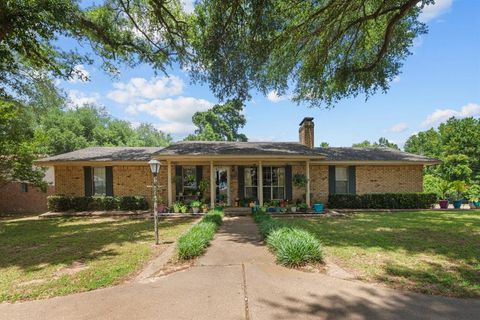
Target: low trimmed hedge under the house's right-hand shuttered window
(382,201)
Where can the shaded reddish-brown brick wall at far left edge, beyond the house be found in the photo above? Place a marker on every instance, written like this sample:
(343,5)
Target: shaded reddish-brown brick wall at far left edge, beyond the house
(13,200)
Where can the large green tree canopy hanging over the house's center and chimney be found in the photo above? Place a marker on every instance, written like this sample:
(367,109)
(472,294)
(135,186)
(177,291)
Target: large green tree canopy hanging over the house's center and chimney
(325,50)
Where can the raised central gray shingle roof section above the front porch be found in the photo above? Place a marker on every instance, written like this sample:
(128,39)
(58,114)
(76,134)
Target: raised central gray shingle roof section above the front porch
(206,148)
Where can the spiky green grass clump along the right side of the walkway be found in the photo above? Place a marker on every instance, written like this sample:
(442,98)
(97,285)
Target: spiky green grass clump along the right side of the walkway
(292,246)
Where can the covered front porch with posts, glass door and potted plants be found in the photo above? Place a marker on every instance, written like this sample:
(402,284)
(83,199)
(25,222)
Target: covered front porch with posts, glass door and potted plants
(234,183)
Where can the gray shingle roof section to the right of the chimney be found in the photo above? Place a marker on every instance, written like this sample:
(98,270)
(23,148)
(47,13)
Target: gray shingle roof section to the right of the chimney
(371,154)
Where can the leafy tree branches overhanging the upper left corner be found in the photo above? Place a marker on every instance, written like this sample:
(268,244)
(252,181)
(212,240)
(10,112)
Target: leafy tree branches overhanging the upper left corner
(117,31)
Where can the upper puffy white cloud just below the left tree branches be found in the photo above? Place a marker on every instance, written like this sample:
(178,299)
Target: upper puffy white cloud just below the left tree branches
(140,89)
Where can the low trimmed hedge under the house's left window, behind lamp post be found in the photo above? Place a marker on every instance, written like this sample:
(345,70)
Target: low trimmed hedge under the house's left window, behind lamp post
(64,203)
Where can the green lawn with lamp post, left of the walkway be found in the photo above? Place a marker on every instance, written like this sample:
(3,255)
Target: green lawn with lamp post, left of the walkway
(42,258)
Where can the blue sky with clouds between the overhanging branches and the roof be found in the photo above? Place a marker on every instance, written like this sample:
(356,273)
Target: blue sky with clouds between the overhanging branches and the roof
(441,79)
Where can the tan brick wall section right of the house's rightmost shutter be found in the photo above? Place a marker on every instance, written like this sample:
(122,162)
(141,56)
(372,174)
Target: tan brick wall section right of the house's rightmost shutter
(378,179)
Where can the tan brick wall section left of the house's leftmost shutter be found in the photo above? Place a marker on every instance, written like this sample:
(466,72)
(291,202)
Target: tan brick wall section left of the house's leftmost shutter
(69,181)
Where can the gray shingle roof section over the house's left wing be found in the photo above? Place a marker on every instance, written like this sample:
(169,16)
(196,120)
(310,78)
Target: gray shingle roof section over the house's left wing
(106,154)
